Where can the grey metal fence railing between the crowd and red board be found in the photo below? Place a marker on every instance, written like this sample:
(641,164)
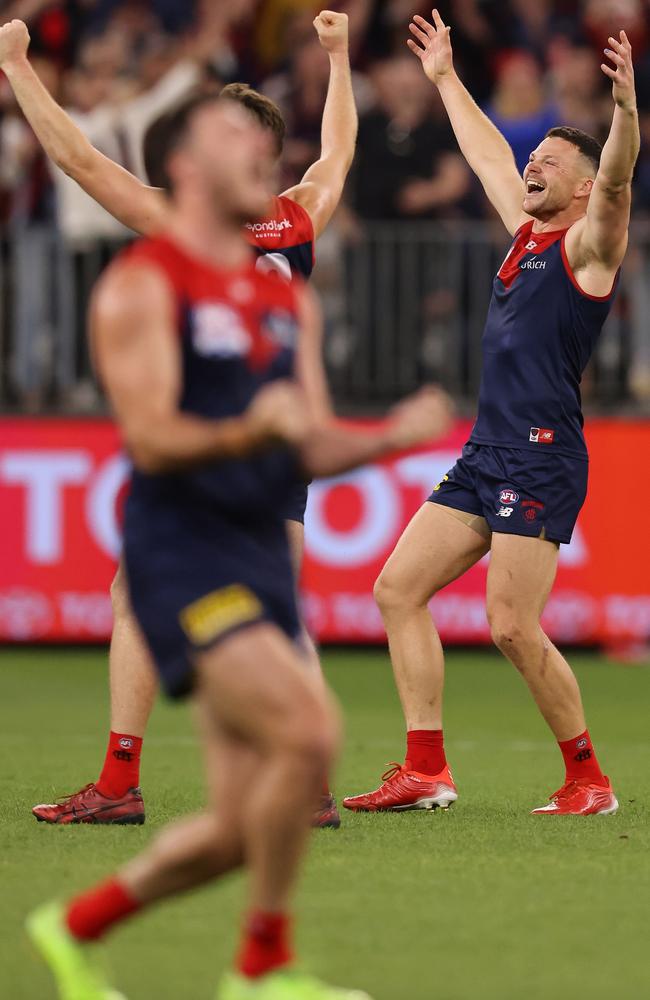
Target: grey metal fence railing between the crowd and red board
(404,304)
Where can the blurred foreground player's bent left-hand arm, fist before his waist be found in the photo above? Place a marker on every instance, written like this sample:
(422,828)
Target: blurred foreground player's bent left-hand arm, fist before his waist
(137,352)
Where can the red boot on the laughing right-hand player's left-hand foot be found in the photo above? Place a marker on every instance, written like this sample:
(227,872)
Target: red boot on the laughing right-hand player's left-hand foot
(404,789)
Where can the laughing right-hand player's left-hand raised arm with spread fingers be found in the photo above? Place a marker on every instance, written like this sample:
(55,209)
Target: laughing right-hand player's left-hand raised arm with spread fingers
(481,143)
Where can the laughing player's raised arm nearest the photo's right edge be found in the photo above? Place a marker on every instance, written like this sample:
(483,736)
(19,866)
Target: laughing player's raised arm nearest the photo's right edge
(596,246)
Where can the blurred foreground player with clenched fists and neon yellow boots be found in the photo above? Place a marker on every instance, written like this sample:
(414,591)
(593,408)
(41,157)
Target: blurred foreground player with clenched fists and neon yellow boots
(212,368)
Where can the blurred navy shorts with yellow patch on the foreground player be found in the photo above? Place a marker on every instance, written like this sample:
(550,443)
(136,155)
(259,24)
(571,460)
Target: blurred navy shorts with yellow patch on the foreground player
(195,577)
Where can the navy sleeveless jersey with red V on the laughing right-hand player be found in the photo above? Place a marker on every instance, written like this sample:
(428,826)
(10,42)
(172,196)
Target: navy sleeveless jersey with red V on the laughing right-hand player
(540,332)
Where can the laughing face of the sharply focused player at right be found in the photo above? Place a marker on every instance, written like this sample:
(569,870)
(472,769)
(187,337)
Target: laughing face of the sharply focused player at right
(554,175)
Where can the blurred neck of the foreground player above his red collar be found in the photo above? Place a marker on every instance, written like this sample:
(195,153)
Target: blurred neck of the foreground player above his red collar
(210,236)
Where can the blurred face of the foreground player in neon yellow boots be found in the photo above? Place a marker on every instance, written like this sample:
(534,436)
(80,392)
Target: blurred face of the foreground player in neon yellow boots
(233,160)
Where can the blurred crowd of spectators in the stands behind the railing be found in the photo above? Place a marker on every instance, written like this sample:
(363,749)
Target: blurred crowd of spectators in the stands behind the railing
(115,65)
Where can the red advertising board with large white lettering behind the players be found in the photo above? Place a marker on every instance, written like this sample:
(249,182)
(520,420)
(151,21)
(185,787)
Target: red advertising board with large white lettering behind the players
(60,487)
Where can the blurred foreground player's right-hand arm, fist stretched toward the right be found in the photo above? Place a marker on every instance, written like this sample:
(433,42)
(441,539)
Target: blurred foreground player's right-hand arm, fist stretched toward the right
(332,446)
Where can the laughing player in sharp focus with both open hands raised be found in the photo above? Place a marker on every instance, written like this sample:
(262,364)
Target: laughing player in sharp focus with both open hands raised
(518,487)
